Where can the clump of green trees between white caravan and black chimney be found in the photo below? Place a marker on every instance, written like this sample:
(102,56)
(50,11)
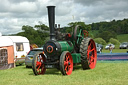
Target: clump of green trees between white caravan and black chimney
(36,35)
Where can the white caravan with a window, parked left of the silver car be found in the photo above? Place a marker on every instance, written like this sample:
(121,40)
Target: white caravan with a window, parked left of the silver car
(20,46)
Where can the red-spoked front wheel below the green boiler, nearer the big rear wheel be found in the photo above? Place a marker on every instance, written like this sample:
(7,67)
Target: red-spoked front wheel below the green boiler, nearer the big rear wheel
(66,63)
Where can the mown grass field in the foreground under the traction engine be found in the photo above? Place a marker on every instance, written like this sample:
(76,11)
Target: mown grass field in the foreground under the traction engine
(111,73)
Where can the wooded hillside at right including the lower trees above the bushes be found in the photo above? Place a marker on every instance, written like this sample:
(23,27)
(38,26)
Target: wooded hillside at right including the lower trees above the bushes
(107,30)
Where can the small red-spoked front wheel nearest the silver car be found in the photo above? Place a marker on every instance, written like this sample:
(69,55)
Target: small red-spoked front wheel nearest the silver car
(38,64)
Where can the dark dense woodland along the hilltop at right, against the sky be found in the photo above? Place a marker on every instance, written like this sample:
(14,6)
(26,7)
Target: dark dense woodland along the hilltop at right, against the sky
(119,26)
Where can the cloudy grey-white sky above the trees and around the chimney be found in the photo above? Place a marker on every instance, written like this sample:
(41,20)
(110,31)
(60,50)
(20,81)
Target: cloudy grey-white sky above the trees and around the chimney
(16,13)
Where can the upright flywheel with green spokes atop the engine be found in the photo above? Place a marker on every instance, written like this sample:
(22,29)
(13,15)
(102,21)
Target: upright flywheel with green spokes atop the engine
(78,36)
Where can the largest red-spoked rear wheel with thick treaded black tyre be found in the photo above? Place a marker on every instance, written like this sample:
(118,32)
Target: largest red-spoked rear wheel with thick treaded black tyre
(88,53)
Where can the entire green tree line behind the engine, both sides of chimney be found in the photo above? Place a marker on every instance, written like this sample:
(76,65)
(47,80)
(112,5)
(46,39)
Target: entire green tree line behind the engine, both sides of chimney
(39,34)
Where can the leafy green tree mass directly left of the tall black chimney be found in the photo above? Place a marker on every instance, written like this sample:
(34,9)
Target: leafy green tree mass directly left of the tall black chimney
(34,36)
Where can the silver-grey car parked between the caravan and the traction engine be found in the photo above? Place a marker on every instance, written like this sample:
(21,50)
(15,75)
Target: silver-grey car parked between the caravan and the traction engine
(29,56)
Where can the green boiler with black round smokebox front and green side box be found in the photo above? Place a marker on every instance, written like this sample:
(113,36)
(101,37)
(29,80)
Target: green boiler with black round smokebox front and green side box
(53,50)
